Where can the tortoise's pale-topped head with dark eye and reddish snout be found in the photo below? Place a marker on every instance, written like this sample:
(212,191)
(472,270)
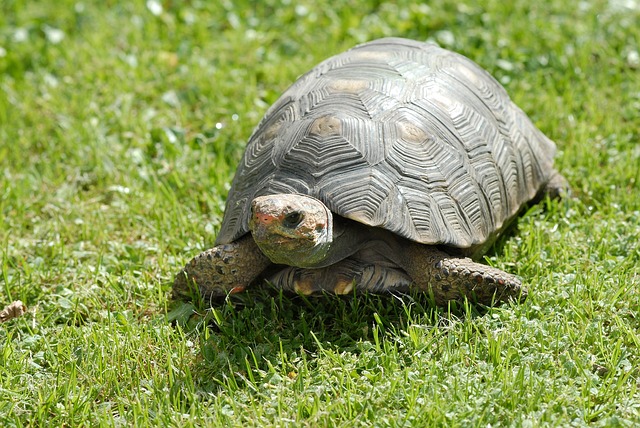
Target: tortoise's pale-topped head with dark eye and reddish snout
(295,230)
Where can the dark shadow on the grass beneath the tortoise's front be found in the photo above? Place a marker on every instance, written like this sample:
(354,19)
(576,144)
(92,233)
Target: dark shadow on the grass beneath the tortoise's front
(265,330)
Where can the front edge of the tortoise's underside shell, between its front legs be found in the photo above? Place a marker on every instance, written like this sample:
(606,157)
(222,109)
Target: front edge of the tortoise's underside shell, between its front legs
(341,278)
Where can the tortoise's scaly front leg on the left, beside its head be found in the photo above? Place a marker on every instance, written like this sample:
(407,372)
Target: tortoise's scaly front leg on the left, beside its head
(221,270)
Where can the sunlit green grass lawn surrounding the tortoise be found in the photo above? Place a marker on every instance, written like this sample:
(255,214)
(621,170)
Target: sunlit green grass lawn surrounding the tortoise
(120,127)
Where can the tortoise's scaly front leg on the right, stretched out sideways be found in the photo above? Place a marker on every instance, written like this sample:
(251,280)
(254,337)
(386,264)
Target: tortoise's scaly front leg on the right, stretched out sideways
(454,278)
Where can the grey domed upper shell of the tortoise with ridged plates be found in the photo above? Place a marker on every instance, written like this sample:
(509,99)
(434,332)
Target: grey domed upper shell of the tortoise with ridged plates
(401,135)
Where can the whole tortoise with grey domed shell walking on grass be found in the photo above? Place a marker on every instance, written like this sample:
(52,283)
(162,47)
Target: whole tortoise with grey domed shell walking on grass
(391,166)
